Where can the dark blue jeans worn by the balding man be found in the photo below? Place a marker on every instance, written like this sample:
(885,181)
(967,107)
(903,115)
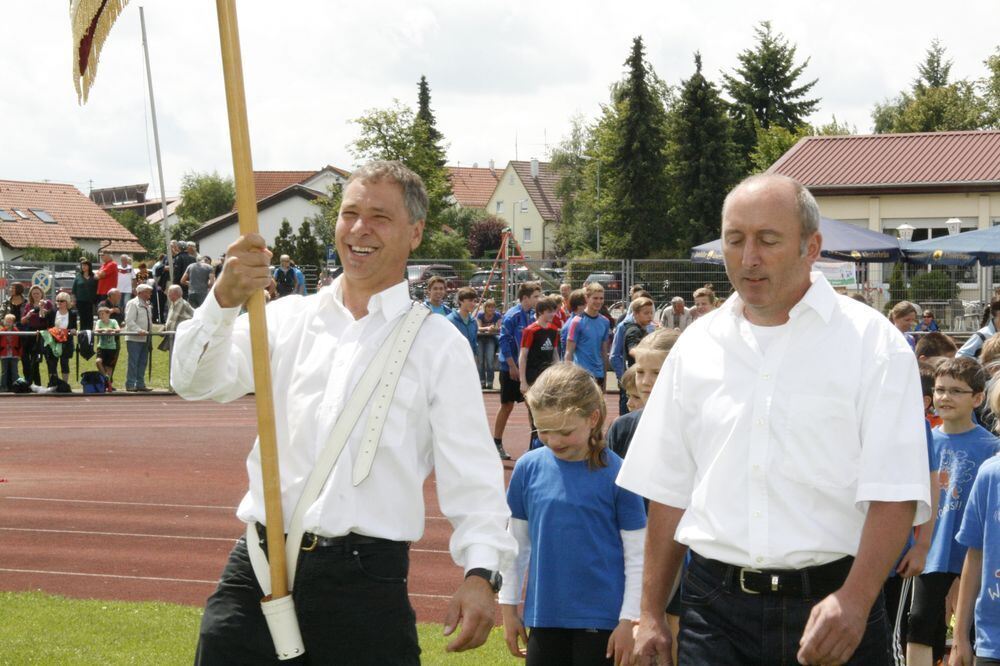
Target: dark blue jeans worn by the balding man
(720,624)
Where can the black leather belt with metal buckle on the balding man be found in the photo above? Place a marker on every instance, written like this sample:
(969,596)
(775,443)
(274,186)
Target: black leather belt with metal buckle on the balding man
(817,581)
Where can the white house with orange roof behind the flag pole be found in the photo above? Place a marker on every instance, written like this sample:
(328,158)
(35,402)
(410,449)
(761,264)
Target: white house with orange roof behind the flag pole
(280,195)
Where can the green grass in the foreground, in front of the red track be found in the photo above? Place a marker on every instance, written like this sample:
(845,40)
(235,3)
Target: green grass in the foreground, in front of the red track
(42,629)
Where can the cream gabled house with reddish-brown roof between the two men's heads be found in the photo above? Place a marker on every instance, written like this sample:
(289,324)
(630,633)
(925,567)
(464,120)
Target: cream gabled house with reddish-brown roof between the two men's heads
(526,198)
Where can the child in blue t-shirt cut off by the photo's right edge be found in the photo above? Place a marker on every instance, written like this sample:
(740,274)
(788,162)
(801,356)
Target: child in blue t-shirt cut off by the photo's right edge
(979,589)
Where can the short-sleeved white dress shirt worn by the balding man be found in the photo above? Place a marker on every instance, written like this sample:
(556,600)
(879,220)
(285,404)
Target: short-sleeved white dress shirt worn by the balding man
(775,455)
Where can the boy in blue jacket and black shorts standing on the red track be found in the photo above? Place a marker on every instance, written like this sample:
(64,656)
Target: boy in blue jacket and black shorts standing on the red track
(515,321)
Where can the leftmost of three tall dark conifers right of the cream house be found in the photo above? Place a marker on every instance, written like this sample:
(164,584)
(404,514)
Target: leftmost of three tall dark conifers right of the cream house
(637,180)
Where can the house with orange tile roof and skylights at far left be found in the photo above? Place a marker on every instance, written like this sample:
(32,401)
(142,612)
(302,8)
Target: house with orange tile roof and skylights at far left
(56,216)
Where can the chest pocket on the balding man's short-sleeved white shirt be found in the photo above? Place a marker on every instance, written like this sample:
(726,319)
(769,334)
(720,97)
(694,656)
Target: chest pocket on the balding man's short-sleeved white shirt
(819,442)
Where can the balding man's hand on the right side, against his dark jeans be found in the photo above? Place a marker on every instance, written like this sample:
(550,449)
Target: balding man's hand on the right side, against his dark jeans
(835,627)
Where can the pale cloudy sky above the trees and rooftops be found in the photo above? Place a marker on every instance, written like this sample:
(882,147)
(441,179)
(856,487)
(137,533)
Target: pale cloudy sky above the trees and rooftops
(500,73)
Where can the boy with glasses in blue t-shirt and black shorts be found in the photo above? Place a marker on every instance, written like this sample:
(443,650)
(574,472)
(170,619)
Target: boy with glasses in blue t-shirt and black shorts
(962,447)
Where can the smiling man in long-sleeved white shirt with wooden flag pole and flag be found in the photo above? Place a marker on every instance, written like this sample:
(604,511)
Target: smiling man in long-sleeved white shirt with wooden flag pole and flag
(367,383)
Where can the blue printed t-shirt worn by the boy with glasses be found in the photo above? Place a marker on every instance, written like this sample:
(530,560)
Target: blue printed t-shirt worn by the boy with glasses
(960,457)
